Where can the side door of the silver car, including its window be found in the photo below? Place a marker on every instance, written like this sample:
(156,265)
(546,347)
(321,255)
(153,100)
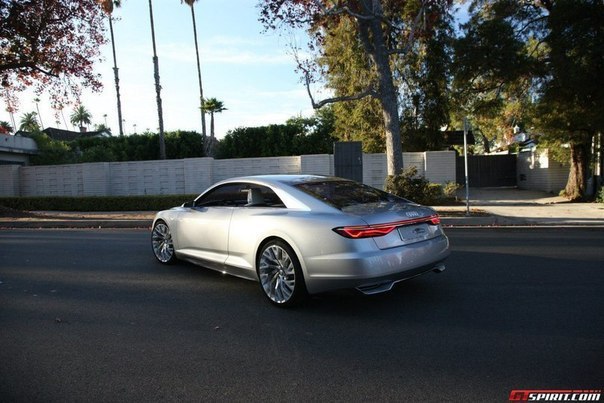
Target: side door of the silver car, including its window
(204,227)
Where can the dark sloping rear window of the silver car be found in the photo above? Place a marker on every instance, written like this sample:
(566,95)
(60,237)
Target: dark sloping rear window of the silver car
(342,194)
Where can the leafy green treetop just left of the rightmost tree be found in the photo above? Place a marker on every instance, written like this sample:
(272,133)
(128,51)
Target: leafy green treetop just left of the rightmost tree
(493,72)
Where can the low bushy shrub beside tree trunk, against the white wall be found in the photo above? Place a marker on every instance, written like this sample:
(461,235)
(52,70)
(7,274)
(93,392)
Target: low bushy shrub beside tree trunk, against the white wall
(410,185)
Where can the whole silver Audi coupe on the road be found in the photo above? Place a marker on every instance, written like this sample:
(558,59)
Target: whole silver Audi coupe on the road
(303,234)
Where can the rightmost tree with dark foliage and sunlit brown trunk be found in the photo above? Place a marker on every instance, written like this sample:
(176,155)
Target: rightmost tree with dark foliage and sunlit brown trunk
(571,109)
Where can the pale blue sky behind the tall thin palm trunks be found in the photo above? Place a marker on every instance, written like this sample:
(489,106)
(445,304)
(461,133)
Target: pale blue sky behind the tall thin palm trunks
(251,72)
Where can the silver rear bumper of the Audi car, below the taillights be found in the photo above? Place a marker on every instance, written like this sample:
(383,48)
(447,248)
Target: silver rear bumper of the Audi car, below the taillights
(377,270)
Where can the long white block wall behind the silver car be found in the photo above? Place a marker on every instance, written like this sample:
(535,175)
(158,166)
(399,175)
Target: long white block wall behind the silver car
(191,176)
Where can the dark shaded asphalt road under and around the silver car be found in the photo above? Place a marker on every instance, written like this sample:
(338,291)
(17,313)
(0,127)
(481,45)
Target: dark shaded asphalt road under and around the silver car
(88,315)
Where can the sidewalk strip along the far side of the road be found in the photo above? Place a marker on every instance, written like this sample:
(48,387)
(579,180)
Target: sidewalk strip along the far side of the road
(489,207)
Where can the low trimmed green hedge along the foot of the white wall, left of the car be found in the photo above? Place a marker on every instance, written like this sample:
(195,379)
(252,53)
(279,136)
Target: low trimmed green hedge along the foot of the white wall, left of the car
(112,203)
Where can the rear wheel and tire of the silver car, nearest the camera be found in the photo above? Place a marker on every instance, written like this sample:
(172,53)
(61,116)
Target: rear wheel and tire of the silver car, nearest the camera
(280,274)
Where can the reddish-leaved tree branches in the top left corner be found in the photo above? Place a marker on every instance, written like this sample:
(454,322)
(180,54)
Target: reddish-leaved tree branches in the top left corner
(49,45)
